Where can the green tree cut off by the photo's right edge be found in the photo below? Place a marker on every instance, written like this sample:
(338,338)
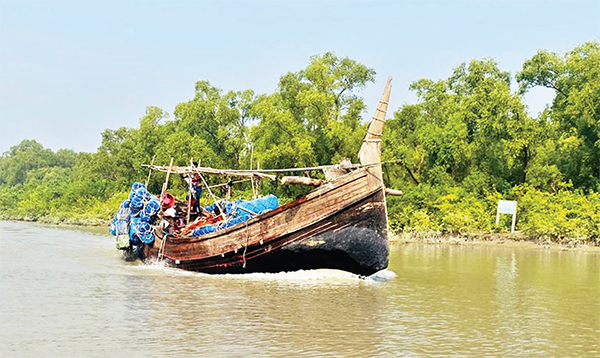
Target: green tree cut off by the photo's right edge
(575,110)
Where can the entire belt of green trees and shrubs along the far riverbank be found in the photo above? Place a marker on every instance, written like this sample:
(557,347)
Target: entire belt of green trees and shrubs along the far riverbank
(467,143)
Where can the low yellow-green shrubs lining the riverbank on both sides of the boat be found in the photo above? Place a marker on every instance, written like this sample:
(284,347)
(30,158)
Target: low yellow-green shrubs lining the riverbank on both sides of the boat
(425,212)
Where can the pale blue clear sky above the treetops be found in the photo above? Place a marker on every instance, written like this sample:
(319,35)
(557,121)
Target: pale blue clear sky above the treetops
(71,69)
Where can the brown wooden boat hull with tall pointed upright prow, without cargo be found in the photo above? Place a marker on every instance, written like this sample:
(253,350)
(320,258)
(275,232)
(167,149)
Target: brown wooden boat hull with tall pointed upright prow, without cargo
(342,224)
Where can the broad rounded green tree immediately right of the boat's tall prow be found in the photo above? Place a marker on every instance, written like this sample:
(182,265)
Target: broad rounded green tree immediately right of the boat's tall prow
(468,128)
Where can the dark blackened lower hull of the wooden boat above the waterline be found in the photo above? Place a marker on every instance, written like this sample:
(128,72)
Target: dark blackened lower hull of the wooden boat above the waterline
(353,239)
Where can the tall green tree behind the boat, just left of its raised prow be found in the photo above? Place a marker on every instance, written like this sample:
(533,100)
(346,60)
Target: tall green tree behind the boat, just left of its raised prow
(314,116)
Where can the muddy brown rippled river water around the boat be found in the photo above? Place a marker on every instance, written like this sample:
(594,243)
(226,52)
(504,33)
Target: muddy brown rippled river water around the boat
(67,292)
